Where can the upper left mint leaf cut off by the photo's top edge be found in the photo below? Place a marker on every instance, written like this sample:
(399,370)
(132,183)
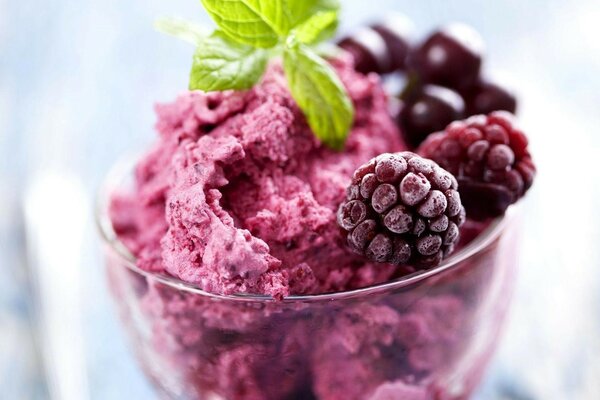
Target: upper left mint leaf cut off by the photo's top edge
(246,21)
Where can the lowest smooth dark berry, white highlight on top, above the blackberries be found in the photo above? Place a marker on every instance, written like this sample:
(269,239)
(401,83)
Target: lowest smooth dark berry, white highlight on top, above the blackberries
(428,109)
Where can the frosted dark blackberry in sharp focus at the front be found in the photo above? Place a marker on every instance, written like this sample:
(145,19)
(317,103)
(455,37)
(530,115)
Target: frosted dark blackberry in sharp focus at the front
(402,209)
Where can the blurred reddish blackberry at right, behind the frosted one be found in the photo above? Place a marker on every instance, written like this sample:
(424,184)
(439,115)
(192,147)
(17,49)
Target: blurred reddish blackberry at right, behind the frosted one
(489,157)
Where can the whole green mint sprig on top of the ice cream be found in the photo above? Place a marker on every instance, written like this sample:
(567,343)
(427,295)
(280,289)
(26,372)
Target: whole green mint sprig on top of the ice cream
(252,31)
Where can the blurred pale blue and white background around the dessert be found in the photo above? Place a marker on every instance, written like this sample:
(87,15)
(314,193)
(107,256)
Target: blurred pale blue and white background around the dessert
(77,83)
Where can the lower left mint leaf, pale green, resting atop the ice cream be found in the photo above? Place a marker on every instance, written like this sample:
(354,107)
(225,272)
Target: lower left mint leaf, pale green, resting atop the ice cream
(222,64)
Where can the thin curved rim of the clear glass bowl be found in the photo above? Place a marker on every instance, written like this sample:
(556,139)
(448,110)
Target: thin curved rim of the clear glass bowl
(105,227)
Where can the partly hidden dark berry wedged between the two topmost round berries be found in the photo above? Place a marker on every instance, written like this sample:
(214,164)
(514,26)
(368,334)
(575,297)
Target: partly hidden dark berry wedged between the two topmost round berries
(396,31)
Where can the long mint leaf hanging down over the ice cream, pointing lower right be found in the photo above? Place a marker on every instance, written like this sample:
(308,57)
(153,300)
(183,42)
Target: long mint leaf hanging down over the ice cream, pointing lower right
(319,93)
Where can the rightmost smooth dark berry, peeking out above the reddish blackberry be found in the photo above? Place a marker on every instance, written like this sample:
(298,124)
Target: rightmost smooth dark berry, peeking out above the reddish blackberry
(486,97)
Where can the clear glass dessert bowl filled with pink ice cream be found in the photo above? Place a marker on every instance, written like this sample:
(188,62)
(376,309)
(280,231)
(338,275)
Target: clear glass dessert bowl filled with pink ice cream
(427,335)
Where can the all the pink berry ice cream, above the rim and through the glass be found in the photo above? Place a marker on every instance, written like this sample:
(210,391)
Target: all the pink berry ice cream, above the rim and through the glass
(237,196)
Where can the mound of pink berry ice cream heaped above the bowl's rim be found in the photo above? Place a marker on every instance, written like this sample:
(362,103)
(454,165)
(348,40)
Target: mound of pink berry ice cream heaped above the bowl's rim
(237,196)
